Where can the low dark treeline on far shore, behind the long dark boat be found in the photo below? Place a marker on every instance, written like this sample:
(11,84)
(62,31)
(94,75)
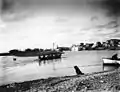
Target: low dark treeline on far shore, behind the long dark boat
(35,51)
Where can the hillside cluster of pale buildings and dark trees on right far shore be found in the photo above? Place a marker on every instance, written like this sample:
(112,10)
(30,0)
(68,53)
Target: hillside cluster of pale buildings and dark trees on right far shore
(112,44)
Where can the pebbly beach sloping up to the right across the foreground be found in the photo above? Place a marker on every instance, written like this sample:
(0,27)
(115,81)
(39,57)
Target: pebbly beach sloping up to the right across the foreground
(107,81)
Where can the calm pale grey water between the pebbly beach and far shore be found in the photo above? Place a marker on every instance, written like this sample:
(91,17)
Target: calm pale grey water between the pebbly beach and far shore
(24,69)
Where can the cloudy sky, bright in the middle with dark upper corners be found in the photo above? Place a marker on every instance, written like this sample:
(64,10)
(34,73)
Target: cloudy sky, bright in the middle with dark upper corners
(40,23)
